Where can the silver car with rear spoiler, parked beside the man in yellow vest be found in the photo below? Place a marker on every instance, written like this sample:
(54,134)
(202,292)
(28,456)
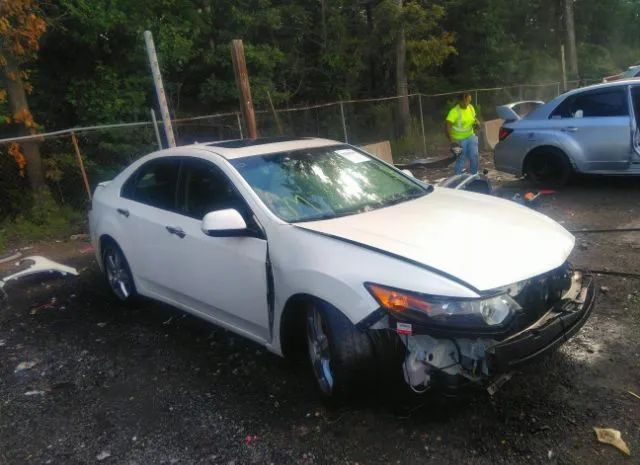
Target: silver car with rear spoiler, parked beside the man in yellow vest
(592,130)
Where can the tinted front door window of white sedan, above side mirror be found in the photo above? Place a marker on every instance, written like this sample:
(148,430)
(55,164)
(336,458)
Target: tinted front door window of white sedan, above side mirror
(205,188)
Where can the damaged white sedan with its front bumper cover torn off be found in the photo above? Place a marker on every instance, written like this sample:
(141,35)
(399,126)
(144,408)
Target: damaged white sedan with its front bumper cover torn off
(311,242)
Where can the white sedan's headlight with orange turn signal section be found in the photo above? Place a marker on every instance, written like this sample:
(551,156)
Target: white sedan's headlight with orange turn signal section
(445,311)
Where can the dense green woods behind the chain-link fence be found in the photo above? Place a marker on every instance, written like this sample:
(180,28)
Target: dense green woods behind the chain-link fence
(92,67)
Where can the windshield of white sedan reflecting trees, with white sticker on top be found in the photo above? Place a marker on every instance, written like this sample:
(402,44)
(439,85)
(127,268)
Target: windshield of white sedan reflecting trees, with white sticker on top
(324,183)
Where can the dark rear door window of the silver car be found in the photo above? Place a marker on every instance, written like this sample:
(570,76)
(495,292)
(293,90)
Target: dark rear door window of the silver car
(594,104)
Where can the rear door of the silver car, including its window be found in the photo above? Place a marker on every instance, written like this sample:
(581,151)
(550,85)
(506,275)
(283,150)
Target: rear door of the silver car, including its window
(595,128)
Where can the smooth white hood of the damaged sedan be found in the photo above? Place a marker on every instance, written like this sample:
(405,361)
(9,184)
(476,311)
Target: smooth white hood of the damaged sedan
(484,241)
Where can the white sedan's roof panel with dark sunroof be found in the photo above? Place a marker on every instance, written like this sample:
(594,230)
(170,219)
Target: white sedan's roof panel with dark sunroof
(239,148)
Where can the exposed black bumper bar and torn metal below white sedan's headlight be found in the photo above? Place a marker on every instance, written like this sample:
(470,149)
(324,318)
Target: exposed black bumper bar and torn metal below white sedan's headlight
(452,360)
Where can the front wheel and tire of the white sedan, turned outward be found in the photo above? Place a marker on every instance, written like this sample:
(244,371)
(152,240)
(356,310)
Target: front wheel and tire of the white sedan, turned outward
(341,355)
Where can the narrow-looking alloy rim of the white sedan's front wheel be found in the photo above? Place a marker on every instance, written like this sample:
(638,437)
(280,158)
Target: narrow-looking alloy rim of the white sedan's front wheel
(319,355)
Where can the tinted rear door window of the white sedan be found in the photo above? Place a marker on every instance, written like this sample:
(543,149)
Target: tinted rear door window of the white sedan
(154,183)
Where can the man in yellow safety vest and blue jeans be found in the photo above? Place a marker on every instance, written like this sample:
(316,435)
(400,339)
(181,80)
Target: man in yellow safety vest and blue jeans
(460,124)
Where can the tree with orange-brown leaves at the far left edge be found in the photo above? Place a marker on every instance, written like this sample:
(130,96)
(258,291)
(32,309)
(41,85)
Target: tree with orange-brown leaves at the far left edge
(21,27)
